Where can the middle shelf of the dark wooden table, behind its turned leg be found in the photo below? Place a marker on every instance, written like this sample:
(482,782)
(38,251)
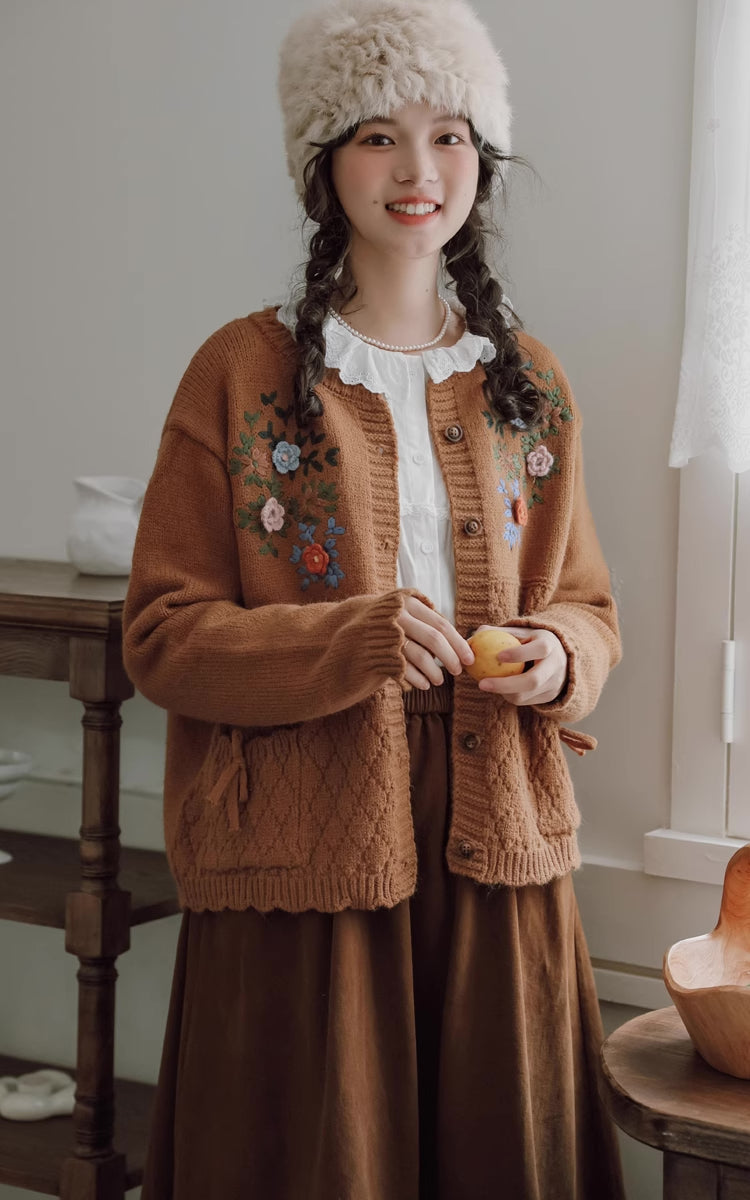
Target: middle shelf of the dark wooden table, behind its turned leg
(44,871)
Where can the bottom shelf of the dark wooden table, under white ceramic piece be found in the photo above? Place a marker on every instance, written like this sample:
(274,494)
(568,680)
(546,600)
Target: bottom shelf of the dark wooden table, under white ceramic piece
(32,1153)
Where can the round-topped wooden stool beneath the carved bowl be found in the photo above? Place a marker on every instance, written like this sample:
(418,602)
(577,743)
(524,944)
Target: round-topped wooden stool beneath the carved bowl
(659,1090)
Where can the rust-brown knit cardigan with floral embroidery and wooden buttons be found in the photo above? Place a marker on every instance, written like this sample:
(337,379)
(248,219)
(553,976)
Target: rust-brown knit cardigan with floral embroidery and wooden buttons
(262,614)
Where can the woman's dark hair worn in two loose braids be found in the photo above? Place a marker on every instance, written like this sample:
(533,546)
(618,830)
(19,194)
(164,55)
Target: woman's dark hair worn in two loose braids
(508,391)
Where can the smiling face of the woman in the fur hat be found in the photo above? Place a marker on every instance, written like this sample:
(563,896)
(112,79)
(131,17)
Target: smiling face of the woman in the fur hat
(417,158)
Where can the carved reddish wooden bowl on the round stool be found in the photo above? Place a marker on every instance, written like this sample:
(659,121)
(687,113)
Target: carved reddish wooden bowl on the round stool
(709,977)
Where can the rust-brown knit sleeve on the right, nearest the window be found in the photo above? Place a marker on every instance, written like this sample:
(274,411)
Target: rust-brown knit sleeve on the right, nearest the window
(581,611)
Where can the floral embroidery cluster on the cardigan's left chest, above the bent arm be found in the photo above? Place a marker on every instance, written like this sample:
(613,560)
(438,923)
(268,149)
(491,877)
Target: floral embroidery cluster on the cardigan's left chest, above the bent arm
(290,484)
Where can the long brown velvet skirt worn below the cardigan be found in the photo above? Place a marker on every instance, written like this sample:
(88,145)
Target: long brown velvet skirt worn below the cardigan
(440,1051)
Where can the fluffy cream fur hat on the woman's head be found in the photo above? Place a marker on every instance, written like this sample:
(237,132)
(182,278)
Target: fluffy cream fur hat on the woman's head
(358,59)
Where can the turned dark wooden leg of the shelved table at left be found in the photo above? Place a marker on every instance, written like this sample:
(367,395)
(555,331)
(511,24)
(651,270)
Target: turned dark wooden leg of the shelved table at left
(98,931)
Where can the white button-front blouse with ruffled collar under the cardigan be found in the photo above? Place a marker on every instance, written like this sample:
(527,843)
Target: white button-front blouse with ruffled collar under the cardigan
(425,545)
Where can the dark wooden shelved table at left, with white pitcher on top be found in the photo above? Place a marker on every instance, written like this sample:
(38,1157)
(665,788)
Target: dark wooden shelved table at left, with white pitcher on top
(57,625)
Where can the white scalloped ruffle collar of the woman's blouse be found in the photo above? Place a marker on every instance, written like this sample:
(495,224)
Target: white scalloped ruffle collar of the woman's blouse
(382,371)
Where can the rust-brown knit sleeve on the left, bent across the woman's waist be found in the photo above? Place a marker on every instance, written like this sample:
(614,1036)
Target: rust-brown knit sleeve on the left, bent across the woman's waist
(193,647)
